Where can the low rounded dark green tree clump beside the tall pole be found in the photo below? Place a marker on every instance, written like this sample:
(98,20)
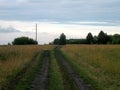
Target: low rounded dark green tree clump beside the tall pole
(24,41)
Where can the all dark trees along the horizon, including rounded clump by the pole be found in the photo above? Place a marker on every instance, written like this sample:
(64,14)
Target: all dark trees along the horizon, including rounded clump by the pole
(102,38)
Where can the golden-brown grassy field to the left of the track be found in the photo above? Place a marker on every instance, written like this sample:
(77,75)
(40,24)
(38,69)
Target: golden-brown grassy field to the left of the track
(15,58)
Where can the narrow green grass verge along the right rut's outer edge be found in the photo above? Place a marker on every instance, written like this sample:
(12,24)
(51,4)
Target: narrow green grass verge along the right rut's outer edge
(92,84)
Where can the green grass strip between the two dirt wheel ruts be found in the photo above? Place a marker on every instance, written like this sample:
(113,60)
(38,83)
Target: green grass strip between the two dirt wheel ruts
(55,77)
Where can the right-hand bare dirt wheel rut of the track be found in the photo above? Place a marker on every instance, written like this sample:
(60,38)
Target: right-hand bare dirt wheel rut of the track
(79,84)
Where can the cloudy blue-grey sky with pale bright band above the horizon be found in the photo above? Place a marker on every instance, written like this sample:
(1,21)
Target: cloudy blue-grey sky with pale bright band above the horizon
(75,18)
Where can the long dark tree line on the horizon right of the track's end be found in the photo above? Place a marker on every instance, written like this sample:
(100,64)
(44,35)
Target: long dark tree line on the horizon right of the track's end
(102,38)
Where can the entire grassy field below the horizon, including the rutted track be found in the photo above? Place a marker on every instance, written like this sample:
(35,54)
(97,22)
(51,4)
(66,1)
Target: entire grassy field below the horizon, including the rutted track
(69,67)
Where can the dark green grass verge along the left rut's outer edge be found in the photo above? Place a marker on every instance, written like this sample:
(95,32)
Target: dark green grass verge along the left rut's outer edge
(26,82)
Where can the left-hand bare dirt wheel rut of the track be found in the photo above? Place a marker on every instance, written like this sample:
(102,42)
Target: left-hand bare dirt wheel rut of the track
(41,80)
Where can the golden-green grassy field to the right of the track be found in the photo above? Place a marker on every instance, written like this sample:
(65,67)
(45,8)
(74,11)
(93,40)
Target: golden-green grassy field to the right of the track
(98,64)
